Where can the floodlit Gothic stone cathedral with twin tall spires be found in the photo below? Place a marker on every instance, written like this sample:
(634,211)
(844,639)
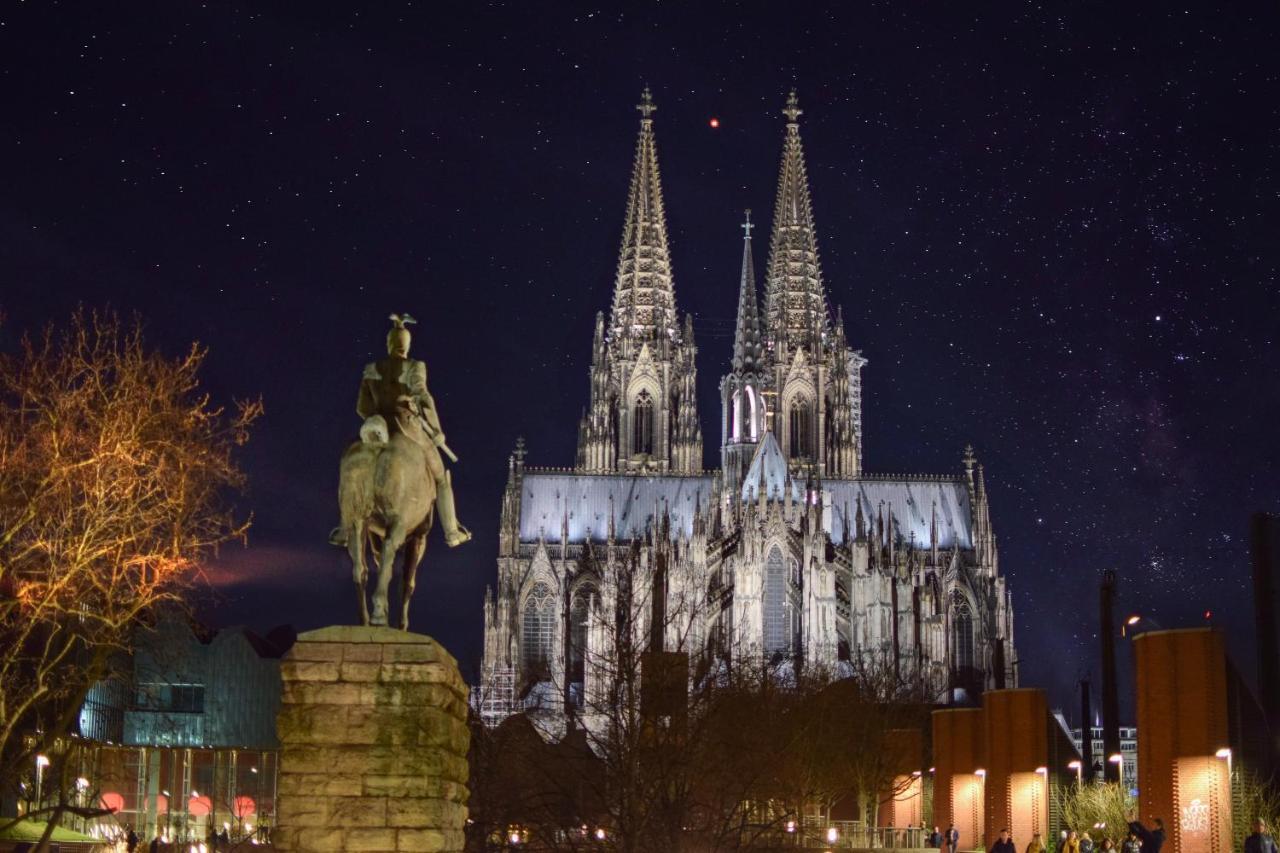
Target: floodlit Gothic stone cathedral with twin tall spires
(790,554)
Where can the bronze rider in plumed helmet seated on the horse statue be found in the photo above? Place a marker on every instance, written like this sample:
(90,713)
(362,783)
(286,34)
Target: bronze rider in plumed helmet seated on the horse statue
(394,399)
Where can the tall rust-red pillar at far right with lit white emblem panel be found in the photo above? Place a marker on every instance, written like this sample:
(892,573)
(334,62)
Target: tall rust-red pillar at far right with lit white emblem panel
(1183,754)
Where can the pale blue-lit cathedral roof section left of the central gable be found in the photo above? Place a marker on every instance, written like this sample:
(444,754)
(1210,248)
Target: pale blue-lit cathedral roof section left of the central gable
(587,501)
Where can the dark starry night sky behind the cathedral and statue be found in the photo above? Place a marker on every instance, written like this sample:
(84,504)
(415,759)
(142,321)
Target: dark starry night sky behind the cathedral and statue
(1053,230)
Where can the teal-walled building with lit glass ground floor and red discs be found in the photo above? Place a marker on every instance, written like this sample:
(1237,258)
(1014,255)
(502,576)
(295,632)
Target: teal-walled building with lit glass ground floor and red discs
(185,743)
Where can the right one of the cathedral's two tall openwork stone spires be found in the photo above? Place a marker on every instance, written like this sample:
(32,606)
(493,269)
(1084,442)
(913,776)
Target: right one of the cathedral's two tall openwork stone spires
(797,300)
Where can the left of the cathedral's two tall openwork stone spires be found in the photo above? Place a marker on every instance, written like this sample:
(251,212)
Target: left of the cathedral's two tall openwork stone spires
(644,299)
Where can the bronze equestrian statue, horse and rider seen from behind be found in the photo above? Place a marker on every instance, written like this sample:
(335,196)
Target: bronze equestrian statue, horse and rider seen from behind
(394,481)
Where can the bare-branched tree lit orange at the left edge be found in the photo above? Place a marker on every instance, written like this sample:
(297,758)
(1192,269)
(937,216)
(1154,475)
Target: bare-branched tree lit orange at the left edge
(115,478)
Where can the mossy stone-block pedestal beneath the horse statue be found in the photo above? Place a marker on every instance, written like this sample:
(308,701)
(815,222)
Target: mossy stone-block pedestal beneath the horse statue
(374,743)
